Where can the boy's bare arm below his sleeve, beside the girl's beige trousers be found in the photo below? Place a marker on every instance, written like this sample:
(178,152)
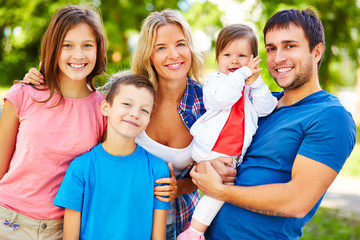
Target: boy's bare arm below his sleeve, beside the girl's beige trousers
(72,220)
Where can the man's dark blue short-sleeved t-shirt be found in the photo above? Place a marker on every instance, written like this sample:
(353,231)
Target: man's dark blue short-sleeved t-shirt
(317,127)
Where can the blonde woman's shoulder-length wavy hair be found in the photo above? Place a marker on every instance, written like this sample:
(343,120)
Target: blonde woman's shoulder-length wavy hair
(141,63)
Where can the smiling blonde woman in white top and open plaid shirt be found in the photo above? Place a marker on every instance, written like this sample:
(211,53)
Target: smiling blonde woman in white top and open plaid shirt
(167,56)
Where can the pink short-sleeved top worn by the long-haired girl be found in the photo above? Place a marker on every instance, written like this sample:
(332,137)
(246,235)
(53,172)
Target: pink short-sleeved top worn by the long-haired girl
(48,140)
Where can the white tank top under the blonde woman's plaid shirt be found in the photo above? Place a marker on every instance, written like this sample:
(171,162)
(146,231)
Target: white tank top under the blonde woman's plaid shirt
(179,157)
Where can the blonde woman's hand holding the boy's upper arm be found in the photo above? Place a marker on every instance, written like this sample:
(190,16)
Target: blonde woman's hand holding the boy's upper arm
(168,192)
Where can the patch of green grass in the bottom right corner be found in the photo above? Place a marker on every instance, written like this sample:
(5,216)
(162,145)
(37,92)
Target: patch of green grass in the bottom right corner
(332,224)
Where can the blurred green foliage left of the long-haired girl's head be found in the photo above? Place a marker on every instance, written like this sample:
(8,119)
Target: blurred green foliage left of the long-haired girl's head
(22,24)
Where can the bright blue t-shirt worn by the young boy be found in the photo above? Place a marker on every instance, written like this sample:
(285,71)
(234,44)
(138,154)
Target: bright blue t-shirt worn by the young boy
(115,195)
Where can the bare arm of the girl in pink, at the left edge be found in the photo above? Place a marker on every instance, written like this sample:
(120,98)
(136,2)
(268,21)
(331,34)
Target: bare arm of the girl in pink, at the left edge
(9,124)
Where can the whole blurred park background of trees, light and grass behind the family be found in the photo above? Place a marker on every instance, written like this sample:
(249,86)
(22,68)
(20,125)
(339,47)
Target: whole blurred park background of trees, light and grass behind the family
(23,23)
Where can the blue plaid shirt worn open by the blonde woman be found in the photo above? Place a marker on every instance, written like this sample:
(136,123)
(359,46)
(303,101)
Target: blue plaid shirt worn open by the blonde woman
(190,109)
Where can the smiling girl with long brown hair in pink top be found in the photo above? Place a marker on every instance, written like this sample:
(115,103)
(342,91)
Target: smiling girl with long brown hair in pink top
(43,128)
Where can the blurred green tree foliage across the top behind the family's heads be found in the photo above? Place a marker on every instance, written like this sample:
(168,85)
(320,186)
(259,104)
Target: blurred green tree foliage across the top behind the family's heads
(23,23)
